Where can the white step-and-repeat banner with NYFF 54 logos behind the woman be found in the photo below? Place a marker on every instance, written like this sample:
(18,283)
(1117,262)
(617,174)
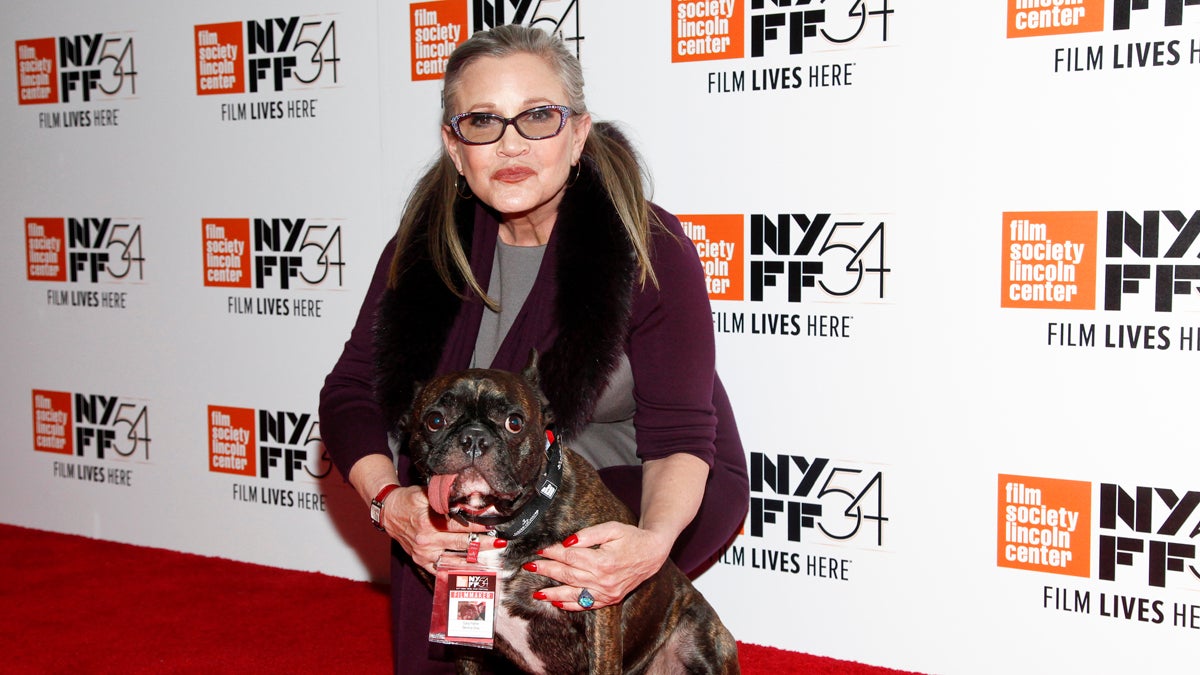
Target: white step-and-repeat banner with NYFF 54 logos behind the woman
(952,253)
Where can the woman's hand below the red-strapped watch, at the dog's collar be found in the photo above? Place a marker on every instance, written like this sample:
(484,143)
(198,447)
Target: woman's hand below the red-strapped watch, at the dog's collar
(424,534)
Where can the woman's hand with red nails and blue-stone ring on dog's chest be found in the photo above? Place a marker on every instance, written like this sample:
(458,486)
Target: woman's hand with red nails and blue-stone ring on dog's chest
(609,560)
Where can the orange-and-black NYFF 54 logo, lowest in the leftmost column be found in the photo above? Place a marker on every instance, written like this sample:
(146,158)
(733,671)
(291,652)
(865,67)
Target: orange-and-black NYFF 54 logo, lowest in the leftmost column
(92,426)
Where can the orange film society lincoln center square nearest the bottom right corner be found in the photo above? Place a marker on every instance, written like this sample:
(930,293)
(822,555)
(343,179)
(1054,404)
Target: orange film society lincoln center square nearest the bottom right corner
(1045,525)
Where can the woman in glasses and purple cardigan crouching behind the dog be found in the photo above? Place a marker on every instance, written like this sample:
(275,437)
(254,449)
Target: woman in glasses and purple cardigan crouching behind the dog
(532,231)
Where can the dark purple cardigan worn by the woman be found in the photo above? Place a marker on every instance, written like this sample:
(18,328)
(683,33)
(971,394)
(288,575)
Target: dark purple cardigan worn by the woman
(681,403)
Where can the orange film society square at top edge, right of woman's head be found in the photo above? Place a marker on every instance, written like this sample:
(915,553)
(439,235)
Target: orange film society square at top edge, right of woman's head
(706,31)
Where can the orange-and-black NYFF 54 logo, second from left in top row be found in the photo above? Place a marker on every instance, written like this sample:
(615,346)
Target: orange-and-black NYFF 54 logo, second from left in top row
(277,55)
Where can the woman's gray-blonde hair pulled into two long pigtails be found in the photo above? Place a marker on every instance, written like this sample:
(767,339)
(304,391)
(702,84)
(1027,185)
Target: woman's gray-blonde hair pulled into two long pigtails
(607,150)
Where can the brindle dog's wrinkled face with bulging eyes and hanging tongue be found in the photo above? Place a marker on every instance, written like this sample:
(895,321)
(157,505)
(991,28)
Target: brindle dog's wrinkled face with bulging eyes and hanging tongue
(487,427)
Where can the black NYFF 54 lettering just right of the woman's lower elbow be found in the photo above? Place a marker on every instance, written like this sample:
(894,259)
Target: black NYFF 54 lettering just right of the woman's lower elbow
(801,499)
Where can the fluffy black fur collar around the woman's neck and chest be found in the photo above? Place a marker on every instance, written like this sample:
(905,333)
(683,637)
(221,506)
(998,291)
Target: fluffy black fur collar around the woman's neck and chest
(590,291)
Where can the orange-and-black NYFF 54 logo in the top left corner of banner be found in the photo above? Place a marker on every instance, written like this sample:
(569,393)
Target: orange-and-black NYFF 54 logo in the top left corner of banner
(76,70)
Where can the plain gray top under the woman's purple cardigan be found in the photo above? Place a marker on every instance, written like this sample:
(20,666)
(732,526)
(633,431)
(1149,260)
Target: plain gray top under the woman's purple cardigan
(609,439)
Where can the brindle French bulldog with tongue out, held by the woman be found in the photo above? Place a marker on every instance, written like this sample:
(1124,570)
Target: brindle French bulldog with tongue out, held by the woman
(484,433)
